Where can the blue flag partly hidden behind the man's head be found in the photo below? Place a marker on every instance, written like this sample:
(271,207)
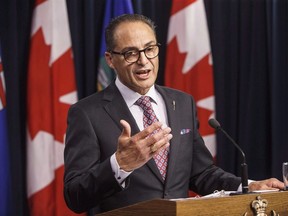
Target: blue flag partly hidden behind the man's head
(113,8)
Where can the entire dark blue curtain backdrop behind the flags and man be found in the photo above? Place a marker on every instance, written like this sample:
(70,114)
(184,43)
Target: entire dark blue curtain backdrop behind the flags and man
(250,54)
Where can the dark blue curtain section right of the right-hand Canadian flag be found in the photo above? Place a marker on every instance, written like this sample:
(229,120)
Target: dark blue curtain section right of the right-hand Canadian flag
(250,55)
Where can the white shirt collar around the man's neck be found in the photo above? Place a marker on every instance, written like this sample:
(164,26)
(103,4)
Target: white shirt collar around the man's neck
(131,96)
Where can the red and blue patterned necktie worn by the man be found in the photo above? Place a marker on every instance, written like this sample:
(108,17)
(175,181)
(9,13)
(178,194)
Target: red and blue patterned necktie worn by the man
(149,118)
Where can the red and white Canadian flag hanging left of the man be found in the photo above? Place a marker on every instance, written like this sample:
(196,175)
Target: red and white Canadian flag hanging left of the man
(51,89)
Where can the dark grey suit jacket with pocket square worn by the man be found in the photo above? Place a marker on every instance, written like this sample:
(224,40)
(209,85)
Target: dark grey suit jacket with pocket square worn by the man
(91,139)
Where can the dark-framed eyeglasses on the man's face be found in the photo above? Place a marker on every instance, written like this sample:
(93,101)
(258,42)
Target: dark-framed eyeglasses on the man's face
(133,55)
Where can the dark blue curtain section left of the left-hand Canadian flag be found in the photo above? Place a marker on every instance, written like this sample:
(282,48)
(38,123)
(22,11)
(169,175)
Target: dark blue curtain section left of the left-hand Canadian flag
(15,22)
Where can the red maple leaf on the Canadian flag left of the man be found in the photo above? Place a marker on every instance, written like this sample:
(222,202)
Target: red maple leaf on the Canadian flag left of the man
(46,84)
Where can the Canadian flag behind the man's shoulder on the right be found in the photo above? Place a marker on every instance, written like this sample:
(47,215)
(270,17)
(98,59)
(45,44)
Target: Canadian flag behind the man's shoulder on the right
(189,62)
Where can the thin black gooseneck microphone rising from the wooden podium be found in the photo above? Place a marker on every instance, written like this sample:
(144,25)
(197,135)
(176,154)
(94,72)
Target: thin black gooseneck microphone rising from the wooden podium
(244,167)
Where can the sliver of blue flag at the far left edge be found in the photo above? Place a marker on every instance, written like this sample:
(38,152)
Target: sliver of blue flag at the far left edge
(4,150)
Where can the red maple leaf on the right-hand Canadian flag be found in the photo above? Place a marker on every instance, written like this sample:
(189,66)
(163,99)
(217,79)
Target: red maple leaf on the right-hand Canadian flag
(198,81)
